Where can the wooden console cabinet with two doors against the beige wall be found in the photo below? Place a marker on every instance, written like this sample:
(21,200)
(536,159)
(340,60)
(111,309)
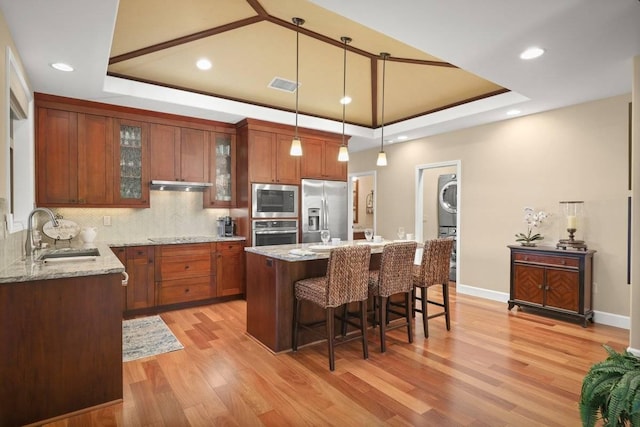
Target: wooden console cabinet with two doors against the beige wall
(552,281)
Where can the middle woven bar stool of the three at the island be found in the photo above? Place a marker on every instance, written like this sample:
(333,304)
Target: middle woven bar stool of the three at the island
(393,277)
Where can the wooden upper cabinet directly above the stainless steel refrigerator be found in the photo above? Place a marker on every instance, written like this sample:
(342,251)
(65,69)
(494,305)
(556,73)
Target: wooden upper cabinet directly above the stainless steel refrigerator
(320,160)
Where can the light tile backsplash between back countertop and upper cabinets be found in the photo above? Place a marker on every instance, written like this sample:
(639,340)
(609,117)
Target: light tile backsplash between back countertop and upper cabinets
(171,214)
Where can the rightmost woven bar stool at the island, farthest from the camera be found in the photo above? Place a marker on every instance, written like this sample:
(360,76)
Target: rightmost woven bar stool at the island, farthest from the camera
(432,271)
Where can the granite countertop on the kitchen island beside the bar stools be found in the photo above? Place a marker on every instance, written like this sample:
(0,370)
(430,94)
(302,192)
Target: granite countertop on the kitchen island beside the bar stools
(308,251)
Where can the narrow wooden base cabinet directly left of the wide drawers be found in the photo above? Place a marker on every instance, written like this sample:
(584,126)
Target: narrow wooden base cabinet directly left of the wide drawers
(141,287)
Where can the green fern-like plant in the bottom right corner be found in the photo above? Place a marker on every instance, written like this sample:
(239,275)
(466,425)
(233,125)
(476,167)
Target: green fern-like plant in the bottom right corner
(611,391)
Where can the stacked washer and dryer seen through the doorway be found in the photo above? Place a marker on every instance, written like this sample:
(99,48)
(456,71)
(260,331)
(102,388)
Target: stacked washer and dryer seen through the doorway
(448,213)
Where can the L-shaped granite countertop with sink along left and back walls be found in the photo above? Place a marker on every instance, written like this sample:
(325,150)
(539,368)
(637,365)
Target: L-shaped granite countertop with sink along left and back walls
(31,269)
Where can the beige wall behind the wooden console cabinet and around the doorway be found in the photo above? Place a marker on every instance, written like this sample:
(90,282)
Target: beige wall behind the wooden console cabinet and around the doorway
(575,153)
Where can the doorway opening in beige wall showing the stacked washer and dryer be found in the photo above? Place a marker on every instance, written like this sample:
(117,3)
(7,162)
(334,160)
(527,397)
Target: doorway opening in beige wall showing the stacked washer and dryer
(437,206)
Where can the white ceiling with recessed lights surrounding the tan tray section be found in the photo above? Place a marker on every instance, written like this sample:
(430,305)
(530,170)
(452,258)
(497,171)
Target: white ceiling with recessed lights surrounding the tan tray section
(589,49)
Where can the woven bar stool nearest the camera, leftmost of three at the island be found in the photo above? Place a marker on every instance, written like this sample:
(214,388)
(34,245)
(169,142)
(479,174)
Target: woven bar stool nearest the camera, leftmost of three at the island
(345,282)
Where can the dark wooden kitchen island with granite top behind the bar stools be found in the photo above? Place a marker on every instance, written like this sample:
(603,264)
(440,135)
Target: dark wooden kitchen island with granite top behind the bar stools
(271,274)
